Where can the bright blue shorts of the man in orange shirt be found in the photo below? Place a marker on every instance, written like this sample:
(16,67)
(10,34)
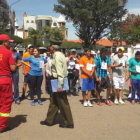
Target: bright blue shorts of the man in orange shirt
(87,84)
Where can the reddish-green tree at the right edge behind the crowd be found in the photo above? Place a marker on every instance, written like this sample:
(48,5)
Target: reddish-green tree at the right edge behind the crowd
(130,28)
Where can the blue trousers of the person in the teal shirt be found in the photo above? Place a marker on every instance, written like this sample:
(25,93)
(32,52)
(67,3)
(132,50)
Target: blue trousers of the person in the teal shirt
(135,85)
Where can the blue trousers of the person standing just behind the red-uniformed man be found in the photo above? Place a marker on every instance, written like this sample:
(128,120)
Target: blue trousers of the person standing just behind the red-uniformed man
(15,78)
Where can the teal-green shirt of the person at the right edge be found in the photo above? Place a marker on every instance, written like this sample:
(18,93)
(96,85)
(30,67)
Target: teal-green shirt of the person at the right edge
(132,68)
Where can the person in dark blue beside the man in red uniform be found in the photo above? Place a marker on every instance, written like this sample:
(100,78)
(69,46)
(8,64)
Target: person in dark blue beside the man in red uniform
(15,75)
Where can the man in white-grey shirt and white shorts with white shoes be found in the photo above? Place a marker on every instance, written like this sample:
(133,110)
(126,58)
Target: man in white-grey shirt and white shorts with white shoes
(119,65)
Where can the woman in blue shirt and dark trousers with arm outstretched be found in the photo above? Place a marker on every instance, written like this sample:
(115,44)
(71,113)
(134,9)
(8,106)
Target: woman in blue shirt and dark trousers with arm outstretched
(35,74)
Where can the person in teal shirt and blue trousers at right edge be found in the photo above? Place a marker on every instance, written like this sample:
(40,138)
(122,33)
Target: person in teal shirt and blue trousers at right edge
(134,68)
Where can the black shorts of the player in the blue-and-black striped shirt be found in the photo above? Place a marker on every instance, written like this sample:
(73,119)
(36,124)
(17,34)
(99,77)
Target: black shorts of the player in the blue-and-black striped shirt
(105,83)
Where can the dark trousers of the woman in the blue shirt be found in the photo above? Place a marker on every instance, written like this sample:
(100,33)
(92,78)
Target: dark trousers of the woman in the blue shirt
(35,83)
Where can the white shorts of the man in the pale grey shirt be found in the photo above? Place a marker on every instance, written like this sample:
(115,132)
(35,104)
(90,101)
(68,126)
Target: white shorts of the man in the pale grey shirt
(118,82)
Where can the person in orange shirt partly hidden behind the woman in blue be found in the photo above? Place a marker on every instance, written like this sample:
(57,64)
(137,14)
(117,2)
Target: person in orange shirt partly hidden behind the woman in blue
(26,70)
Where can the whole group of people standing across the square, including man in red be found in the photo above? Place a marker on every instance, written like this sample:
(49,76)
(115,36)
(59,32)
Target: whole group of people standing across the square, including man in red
(63,74)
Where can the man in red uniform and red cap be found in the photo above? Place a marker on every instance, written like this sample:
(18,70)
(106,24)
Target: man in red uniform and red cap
(7,64)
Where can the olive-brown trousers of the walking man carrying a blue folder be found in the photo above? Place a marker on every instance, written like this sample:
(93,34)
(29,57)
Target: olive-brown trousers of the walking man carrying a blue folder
(59,101)
